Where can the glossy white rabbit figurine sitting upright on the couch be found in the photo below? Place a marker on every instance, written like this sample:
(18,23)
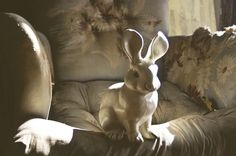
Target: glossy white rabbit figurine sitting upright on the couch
(127,107)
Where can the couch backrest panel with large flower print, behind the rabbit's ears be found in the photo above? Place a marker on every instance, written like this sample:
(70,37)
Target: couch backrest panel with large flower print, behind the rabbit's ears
(85,35)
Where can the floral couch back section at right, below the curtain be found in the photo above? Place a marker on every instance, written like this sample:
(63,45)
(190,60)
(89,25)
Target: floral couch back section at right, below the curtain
(204,66)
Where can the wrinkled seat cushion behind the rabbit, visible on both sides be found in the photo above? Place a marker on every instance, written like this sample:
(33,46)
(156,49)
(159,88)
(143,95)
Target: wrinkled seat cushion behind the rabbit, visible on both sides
(77,104)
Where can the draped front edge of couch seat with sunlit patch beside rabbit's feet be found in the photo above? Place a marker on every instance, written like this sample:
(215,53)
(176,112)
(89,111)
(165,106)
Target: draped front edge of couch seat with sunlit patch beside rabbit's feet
(192,135)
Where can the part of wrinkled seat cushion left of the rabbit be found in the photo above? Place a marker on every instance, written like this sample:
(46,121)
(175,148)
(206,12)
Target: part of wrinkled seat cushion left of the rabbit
(77,104)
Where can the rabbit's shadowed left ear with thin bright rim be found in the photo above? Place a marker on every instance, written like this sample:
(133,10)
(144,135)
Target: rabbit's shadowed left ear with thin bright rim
(133,45)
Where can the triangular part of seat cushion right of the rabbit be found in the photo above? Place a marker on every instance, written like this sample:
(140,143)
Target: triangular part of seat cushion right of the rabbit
(174,103)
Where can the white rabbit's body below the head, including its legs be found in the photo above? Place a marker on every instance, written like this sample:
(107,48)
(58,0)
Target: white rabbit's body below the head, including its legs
(131,110)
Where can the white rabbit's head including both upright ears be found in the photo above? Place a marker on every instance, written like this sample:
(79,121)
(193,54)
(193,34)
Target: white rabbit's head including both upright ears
(142,75)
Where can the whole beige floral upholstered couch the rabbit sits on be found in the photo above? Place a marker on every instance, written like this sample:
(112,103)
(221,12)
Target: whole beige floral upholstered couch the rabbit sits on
(81,49)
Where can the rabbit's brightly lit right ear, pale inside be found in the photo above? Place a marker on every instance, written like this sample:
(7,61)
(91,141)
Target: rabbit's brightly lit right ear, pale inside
(157,48)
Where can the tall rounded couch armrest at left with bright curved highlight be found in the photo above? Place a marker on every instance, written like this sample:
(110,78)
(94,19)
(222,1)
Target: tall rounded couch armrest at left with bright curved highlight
(25,81)
